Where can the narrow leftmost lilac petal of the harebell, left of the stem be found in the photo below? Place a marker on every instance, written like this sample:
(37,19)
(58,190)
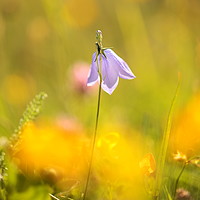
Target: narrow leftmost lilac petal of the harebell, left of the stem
(93,74)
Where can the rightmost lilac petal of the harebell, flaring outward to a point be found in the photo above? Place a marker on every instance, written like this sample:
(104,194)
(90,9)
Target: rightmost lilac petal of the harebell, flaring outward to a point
(123,69)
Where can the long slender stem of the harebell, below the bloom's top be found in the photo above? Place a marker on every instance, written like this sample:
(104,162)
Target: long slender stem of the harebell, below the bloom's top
(95,133)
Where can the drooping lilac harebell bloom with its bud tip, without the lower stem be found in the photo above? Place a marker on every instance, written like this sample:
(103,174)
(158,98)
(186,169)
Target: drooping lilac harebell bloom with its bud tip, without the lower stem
(109,66)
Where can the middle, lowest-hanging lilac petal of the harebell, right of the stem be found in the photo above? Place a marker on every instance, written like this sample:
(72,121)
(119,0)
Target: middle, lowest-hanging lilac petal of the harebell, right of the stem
(109,75)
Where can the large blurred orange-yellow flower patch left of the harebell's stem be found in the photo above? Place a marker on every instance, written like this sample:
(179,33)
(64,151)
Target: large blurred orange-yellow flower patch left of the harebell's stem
(51,151)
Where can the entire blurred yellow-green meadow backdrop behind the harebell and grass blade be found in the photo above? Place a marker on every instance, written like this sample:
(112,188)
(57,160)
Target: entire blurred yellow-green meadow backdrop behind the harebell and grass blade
(48,45)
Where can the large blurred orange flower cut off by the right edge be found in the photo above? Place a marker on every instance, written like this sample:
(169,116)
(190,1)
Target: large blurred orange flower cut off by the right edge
(185,135)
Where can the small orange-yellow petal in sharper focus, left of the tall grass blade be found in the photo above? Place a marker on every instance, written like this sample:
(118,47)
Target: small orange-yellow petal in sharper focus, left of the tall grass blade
(148,165)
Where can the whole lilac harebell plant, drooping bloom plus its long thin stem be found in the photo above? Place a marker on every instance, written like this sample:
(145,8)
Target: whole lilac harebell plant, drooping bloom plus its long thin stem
(106,68)
